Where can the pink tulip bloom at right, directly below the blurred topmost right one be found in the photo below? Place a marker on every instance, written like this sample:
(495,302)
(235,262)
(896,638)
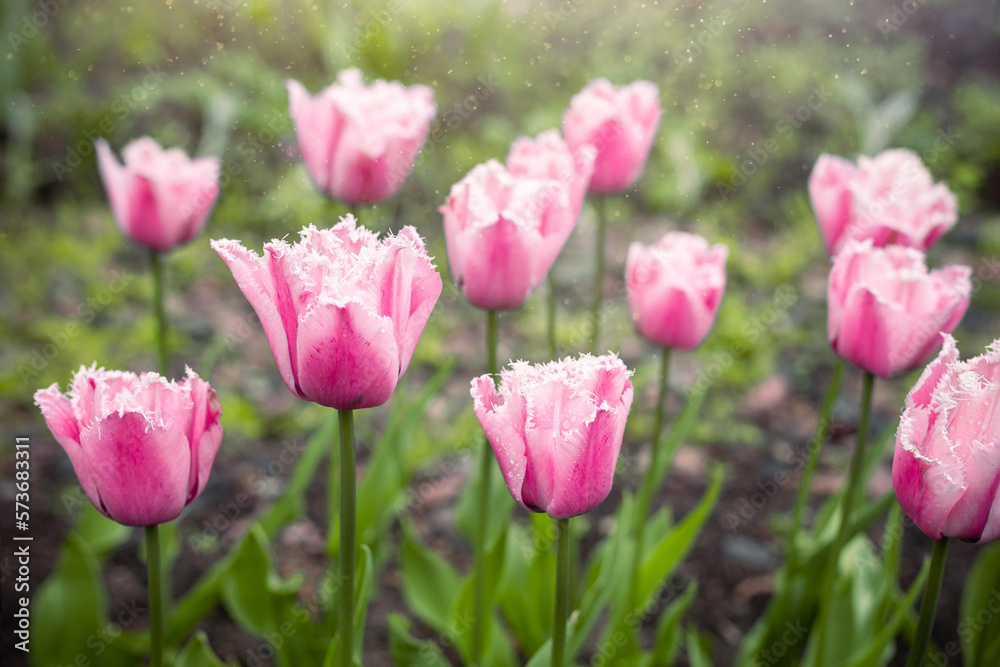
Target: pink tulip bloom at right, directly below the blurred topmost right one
(886,312)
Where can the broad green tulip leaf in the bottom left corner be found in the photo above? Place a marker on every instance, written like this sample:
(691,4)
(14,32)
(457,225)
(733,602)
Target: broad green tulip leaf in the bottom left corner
(68,616)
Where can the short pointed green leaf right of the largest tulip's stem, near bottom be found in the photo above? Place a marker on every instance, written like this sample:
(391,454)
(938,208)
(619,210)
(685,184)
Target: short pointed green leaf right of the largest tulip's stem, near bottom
(430,584)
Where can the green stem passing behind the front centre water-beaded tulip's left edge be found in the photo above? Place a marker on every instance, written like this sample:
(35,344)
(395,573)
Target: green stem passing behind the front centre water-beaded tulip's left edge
(483,499)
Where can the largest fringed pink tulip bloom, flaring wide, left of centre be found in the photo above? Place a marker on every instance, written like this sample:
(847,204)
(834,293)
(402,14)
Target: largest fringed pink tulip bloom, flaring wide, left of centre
(341,310)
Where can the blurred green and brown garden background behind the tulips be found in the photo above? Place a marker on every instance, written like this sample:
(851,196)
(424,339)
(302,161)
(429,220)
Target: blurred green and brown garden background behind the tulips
(752,93)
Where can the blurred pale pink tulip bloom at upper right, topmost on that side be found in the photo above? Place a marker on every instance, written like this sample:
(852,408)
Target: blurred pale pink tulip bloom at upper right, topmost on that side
(890,199)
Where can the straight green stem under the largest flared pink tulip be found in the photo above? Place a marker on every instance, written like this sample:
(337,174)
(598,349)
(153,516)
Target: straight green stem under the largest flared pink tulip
(345,576)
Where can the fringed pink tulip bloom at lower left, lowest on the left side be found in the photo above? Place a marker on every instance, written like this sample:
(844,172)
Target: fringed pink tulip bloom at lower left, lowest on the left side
(141,447)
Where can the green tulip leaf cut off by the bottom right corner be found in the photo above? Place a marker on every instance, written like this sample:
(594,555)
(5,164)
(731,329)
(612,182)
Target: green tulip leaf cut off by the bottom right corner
(979,629)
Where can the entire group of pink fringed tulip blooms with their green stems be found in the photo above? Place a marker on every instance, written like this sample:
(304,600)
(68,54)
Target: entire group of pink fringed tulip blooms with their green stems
(343,311)
